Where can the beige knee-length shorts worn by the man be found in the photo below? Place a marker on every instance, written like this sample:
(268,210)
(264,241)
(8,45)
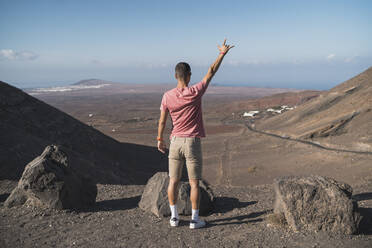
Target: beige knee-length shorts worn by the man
(187,150)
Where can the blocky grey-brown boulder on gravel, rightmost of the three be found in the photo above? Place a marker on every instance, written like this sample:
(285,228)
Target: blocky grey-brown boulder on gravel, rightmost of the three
(316,203)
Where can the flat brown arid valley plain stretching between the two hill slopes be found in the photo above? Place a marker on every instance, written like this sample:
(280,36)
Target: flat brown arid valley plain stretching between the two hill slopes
(233,155)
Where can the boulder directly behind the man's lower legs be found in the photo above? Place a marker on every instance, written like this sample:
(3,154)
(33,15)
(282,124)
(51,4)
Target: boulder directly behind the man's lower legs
(155,198)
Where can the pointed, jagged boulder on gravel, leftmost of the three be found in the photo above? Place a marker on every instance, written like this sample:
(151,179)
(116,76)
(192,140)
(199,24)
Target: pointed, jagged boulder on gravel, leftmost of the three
(49,182)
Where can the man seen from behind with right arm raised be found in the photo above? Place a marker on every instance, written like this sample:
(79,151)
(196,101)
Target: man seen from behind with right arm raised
(183,103)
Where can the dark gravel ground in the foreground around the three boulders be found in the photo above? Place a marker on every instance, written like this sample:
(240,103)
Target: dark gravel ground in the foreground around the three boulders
(239,220)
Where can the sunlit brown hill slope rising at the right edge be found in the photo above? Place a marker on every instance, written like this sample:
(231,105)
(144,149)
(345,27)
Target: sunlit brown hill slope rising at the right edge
(340,117)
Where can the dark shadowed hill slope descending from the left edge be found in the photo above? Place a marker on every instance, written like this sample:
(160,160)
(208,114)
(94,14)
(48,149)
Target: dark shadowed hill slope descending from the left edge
(28,125)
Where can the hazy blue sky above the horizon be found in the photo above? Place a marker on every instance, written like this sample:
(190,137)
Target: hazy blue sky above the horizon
(287,44)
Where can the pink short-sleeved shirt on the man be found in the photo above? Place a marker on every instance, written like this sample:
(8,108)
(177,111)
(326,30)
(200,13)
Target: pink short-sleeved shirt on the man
(184,106)
